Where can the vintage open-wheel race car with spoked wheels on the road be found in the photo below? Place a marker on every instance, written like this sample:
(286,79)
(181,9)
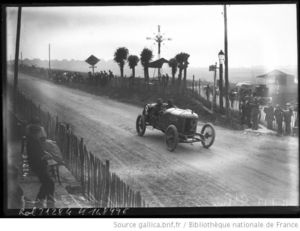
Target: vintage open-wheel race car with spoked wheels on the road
(179,125)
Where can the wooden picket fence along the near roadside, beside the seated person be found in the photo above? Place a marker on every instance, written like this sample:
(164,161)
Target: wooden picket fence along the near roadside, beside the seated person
(99,185)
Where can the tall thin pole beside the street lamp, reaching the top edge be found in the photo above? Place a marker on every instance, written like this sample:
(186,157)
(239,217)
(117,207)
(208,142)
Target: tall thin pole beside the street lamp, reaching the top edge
(226,62)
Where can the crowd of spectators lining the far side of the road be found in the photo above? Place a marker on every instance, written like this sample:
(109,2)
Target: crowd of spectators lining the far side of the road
(284,119)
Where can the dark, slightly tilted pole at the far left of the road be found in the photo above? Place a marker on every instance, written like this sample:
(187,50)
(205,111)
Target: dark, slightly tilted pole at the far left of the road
(16,70)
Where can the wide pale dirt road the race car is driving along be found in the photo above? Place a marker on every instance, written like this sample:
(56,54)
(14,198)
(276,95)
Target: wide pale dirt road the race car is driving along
(239,169)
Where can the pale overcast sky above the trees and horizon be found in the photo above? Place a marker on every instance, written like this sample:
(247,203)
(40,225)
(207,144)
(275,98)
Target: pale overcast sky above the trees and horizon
(257,34)
